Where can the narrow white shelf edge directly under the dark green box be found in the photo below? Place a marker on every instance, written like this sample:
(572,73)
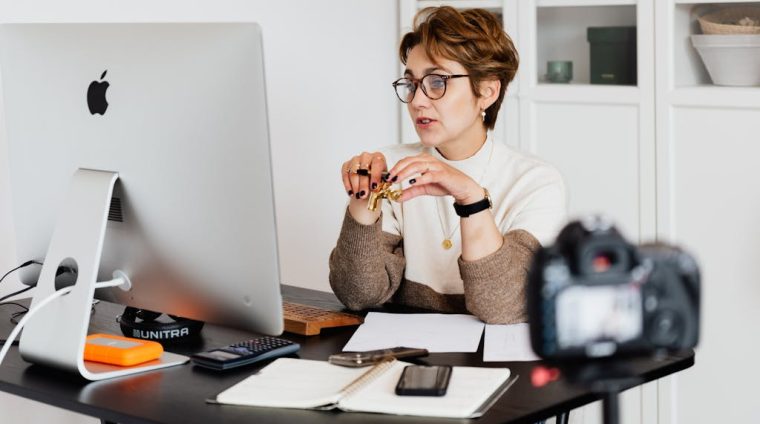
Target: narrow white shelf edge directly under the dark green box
(586,93)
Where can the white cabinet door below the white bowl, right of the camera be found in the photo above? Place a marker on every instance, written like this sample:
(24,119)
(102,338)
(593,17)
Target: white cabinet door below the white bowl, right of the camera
(711,204)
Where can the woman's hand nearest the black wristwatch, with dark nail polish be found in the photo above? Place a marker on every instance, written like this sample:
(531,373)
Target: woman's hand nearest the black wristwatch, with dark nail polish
(434,178)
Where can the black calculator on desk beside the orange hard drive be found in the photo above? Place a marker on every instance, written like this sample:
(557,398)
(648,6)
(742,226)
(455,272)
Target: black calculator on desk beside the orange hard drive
(244,353)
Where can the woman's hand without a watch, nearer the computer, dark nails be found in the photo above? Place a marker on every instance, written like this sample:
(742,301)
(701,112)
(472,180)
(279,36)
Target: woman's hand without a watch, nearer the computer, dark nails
(362,174)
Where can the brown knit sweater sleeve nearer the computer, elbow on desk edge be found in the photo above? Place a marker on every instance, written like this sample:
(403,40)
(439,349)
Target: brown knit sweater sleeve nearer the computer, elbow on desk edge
(367,264)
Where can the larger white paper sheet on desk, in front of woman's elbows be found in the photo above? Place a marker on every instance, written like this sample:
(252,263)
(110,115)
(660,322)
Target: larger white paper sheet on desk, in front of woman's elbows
(434,332)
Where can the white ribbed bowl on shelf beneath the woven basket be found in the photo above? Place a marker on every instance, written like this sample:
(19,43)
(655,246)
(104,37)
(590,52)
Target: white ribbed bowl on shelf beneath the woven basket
(732,60)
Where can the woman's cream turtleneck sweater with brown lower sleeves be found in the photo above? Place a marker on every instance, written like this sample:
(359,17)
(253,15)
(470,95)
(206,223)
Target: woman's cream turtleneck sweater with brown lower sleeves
(401,258)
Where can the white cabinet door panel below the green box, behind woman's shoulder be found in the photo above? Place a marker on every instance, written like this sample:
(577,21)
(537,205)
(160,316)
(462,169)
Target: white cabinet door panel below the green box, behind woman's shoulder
(596,147)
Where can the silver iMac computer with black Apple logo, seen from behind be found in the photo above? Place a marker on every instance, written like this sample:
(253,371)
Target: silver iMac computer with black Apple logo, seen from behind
(140,151)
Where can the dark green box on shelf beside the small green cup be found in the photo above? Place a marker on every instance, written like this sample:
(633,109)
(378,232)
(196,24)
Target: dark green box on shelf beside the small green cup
(613,55)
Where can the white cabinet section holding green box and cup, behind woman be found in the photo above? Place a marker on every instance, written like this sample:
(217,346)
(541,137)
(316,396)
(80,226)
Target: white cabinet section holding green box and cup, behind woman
(601,137)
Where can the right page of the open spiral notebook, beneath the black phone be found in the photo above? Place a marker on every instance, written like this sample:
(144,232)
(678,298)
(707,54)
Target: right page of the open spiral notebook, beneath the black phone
(469,388)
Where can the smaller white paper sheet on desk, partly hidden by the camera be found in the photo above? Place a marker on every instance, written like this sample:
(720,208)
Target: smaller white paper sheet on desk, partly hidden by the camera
(508,343)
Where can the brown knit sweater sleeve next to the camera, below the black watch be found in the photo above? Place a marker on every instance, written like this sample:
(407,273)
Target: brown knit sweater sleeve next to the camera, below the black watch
(495,286)
